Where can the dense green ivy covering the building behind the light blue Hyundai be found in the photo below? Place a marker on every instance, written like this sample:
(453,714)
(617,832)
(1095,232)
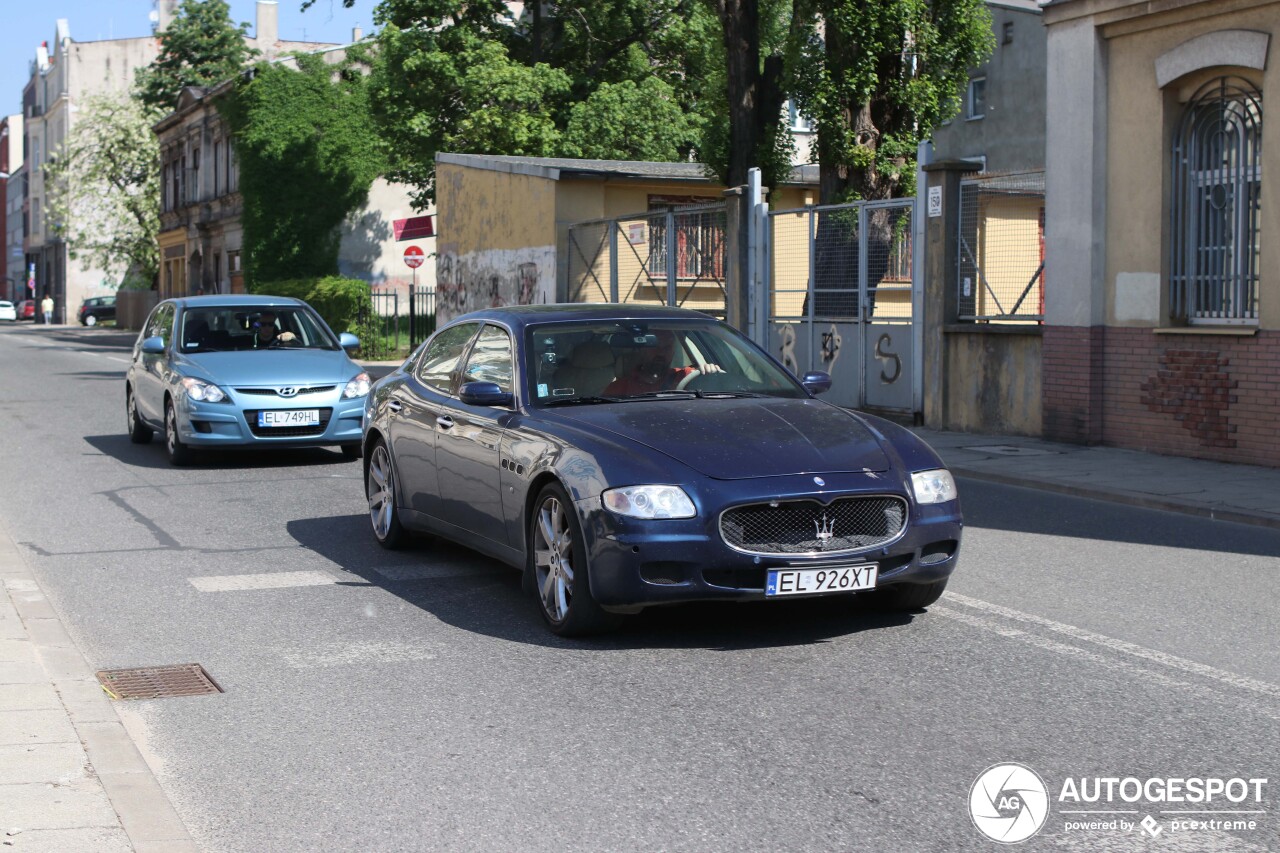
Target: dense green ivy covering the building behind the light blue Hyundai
(307,162)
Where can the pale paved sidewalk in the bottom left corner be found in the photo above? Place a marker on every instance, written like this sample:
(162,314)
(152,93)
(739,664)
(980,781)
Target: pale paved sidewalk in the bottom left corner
(71,778)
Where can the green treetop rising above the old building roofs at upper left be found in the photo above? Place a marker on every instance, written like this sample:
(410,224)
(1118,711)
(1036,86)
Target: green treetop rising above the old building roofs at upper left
(200,48)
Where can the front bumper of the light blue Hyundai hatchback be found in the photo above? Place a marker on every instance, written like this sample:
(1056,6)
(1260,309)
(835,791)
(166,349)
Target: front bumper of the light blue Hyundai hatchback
(232,422)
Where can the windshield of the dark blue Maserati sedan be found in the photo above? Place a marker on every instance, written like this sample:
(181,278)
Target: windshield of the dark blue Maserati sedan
(593,363)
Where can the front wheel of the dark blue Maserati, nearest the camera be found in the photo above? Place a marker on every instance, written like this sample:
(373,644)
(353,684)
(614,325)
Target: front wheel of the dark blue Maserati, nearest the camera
(559,569)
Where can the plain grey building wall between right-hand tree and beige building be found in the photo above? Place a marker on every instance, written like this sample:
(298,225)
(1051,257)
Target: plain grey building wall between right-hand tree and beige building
(1012,134)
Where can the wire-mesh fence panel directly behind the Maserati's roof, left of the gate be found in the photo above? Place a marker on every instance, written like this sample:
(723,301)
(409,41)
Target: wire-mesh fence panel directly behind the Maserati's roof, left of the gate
(674,257)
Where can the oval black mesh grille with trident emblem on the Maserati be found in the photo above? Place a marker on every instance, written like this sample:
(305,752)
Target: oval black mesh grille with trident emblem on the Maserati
(808,527)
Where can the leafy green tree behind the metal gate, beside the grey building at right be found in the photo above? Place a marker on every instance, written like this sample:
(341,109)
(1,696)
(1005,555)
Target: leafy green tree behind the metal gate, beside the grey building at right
(876,77)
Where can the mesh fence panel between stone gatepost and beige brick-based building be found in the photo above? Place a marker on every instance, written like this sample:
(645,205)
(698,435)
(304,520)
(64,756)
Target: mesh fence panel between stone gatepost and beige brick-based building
(1000,272)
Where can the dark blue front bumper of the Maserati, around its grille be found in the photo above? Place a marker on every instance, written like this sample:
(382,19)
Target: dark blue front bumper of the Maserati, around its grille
(642,563)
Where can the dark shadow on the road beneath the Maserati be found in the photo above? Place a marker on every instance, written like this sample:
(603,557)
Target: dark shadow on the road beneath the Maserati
(476,594)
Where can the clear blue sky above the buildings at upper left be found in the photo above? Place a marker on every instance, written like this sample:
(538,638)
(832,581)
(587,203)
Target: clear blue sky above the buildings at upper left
(28,24)
